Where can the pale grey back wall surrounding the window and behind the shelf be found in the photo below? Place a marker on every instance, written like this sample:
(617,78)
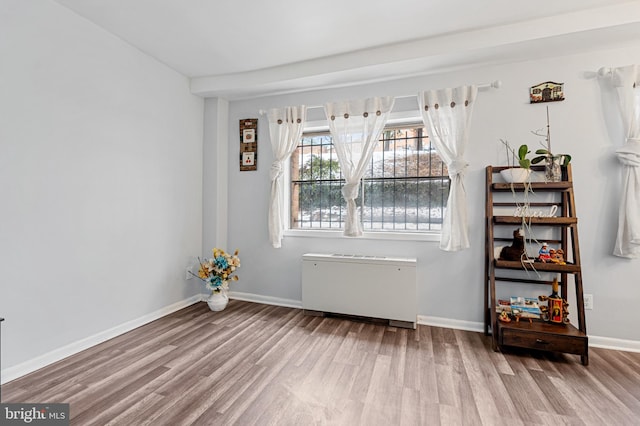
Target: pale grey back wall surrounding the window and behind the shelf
(451,284)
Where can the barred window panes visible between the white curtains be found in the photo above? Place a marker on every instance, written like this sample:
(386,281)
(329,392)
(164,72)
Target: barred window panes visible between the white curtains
(405,188)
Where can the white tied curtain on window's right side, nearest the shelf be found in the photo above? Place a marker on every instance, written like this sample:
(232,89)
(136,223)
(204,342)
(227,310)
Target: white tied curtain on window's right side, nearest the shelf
(447,115)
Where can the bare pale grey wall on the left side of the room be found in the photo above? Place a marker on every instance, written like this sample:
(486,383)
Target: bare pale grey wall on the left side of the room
(100,181)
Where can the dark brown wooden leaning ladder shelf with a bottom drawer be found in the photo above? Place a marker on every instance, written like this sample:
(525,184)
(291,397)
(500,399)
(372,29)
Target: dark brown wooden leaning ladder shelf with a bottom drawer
(534,334)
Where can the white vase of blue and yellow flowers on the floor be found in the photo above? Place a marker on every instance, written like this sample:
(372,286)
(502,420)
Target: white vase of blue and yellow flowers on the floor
(216,273)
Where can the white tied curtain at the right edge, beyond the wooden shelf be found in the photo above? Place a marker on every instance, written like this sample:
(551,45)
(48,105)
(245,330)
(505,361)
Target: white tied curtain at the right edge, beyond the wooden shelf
(627,81)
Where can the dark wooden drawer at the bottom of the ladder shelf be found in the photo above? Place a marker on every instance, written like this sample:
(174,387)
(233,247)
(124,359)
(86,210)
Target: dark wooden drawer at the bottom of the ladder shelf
(543,341)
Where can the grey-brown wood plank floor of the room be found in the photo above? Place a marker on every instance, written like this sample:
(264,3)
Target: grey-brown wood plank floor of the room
(267,365)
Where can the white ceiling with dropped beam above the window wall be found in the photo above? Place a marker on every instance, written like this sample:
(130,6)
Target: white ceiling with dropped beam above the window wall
(241,48)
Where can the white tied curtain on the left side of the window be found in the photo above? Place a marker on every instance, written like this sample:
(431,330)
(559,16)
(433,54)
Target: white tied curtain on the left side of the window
(285,130)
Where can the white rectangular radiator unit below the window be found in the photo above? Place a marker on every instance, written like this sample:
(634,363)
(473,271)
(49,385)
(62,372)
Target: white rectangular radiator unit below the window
(366,286)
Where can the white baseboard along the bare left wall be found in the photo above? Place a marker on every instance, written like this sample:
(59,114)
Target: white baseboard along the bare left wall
(12,373)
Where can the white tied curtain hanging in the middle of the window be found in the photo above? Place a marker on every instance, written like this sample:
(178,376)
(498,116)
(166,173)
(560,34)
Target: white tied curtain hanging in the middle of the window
(355,128)
